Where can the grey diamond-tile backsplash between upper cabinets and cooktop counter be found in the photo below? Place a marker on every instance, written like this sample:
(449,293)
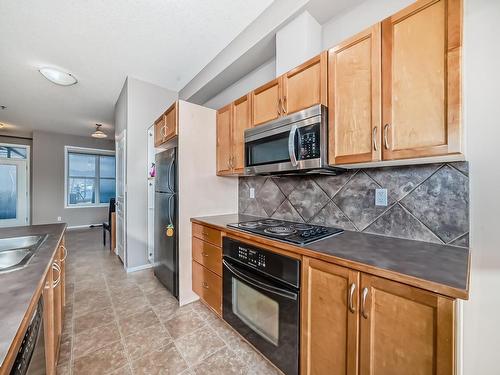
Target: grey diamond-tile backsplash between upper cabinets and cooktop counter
(425,202)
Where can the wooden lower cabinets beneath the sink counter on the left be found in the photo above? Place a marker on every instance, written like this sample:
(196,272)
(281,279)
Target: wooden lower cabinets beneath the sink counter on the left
(53,313)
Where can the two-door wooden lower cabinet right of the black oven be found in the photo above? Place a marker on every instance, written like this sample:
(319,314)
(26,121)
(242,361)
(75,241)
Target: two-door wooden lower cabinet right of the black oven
(356,323)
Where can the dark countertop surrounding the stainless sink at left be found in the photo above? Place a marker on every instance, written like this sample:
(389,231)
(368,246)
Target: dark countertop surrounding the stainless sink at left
(20,286)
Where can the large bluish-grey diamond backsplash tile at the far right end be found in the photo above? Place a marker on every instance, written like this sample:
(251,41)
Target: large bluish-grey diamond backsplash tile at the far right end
(442,203)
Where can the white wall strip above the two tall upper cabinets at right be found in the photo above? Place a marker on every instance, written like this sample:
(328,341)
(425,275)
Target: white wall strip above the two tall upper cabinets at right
(359,18)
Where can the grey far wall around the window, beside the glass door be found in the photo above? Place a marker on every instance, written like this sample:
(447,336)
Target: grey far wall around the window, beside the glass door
(48,179)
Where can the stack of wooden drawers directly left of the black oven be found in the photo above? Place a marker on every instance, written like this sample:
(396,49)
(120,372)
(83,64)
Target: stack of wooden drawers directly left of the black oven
(207,266)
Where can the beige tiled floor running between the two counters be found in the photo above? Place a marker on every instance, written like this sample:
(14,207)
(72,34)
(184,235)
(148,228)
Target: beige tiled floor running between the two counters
(119,323)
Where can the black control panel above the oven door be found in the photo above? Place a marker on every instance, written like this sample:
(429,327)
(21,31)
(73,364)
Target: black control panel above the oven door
(266,262)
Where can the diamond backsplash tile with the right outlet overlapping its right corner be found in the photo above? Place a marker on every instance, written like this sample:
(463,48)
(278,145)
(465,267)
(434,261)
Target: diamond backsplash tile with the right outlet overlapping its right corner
(357,200)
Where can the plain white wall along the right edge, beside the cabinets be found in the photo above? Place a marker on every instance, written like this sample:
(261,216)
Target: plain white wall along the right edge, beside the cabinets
(482,113)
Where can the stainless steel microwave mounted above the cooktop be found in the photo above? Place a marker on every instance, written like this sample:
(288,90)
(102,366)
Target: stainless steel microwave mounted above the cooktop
(295,144)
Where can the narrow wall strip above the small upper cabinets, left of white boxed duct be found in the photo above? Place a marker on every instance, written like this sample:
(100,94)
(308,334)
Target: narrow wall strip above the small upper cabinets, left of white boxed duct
(257,77)
